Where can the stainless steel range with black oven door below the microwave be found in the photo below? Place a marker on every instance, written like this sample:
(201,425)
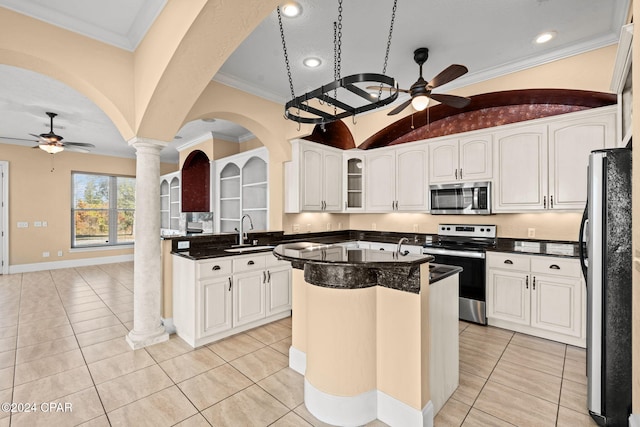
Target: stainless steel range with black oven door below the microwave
(465,246)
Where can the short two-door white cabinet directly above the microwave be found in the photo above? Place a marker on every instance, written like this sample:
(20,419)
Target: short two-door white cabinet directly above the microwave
(461,159)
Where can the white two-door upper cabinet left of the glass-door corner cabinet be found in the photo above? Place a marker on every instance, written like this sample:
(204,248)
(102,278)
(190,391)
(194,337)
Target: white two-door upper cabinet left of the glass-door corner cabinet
(313,178)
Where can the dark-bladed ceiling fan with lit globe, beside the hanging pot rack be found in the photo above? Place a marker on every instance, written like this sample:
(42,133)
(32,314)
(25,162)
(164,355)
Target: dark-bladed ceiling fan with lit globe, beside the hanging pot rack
(420,91)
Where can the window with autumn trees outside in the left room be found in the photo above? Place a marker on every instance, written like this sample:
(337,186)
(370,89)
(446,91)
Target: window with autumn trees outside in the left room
(102,210)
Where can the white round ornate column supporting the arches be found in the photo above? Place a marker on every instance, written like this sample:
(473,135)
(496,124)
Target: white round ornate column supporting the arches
(147,275)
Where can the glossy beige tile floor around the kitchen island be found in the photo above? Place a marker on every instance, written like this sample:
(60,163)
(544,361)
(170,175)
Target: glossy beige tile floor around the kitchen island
(62,341)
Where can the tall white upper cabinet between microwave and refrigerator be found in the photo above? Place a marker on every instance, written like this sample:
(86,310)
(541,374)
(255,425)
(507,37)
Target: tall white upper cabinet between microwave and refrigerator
(544,166)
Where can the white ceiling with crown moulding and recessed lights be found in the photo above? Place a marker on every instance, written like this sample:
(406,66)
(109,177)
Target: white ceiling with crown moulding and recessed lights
(490,37)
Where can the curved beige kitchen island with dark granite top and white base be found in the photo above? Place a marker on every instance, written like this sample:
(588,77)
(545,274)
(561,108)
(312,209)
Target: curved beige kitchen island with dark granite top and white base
(373,336)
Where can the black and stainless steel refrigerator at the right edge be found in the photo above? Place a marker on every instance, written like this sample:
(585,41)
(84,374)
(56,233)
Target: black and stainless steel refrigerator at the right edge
(606,227)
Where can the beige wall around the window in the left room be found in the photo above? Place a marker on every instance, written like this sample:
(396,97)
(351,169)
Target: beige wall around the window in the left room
(40,190)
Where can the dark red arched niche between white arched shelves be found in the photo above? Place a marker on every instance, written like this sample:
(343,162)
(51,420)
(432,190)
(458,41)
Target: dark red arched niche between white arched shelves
(196,183)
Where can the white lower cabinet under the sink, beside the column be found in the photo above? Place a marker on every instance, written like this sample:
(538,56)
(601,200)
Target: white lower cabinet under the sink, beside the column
(219,297)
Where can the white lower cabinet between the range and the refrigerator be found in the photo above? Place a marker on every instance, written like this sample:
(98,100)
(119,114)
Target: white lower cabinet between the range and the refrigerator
(537,295)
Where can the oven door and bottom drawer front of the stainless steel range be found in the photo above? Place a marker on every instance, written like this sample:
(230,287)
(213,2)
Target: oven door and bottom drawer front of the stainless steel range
(472,281)
